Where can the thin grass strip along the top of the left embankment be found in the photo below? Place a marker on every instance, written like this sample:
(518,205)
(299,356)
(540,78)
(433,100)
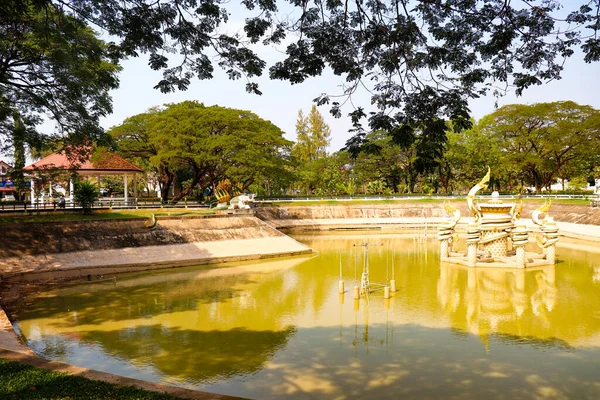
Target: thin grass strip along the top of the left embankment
(56,216)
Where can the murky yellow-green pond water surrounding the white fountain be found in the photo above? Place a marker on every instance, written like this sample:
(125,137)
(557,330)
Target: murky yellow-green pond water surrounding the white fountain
(279,329)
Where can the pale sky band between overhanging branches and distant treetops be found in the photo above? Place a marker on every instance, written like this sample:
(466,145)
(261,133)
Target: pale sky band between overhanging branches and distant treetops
(281,101)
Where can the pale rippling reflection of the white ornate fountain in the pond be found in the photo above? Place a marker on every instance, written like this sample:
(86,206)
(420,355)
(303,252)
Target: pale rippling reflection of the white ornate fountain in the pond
(499,301)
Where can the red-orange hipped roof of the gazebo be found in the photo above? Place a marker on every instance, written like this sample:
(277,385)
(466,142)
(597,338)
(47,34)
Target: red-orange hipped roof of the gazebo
(104,161)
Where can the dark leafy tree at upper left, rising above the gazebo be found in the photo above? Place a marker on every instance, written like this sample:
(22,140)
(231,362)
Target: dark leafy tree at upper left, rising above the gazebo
(52,66)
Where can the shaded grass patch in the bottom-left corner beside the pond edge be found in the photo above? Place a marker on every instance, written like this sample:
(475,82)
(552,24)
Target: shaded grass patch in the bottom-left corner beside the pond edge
(20,381)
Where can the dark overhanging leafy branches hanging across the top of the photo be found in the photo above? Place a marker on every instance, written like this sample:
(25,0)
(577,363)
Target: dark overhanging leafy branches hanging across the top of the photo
(421,60)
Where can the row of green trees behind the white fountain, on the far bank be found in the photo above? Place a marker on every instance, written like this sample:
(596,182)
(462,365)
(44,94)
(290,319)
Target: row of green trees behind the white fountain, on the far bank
(525,145)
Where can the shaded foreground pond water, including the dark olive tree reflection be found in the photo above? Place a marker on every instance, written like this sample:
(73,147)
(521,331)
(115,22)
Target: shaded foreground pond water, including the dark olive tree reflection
(320,364)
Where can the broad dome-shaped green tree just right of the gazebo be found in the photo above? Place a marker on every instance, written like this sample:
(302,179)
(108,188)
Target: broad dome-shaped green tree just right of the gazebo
(206,144)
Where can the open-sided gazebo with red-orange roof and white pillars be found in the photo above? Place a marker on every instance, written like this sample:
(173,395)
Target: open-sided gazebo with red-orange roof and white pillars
(101,164)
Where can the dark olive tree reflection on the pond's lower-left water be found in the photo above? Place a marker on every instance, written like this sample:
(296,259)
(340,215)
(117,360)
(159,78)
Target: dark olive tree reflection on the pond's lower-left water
(202,357)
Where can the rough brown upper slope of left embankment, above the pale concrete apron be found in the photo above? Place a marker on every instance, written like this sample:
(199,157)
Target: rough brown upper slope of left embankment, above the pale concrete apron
(59,237)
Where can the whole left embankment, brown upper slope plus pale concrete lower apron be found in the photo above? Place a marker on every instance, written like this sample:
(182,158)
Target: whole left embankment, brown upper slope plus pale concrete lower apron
(63,250)
